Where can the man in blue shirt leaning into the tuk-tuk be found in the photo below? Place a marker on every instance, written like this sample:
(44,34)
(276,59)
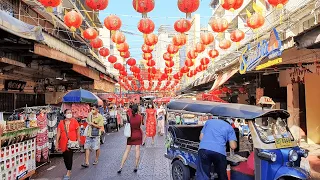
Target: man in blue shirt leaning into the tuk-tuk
(214,136)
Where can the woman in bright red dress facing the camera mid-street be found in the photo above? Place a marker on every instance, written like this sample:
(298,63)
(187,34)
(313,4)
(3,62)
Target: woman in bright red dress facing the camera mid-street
(151,125)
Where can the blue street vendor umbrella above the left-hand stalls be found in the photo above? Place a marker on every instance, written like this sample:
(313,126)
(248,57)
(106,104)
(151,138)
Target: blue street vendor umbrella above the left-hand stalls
(80,96)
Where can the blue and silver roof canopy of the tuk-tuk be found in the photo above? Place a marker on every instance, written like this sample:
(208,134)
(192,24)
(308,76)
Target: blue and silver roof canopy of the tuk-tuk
(225,109)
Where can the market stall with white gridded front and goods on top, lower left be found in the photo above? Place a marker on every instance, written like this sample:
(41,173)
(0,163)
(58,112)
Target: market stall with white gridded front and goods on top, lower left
(18,150)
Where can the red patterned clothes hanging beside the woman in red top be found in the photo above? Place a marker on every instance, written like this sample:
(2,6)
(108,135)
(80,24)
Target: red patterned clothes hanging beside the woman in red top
(42,149)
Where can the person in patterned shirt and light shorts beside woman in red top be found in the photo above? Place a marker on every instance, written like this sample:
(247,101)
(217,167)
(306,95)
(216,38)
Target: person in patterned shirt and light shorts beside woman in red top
(93,132)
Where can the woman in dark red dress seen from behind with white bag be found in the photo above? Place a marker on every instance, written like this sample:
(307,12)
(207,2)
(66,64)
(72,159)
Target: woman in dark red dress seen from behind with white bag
(135,139)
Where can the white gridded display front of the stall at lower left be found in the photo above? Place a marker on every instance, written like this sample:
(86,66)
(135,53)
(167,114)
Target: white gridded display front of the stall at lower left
(17,160)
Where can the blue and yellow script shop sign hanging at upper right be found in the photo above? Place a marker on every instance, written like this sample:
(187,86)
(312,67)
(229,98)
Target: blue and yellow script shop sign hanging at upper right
(250,58)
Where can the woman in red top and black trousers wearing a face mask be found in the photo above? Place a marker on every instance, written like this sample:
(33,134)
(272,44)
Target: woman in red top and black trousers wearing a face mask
(68,129)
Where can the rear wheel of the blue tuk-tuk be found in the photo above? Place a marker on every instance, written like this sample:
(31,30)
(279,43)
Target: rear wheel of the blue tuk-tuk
(180,171)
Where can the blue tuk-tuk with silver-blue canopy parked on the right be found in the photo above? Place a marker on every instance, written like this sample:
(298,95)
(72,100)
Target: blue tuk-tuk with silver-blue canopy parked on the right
(275,154)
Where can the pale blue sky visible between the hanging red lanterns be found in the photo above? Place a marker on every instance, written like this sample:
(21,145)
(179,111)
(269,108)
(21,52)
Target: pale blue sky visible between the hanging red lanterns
(166,12)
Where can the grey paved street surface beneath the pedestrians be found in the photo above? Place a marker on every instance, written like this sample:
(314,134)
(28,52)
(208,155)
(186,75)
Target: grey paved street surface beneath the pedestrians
(153,166)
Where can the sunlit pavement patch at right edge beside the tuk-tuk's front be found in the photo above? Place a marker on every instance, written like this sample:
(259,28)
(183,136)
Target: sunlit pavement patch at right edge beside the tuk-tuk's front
(314,159)
